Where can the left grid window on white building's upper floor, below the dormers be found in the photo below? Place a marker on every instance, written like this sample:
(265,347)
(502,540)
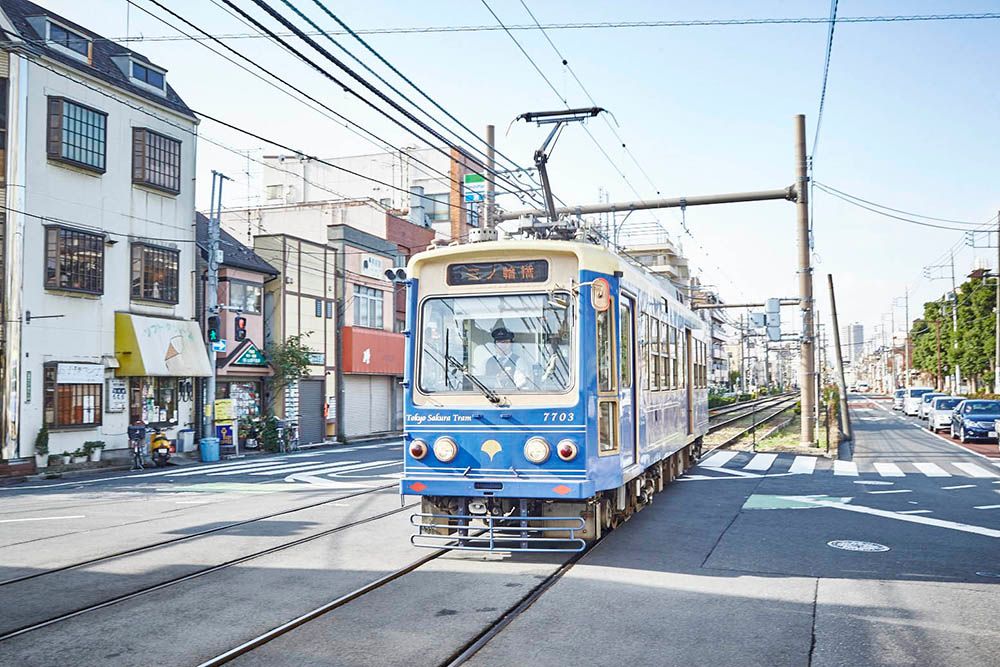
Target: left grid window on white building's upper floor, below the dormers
(77,134)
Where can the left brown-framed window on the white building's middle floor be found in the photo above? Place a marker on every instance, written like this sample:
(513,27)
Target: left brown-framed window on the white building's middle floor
(74,260)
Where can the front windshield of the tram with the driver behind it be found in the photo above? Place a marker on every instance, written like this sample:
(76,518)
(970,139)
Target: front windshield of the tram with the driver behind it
(519,343)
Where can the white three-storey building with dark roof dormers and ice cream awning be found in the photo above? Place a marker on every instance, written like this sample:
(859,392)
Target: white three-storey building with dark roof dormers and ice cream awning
(99,251)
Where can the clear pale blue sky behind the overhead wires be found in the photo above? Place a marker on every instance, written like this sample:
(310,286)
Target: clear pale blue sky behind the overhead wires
(910,121)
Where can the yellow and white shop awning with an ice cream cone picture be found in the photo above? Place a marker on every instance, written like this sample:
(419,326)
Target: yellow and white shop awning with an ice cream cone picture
(156,346)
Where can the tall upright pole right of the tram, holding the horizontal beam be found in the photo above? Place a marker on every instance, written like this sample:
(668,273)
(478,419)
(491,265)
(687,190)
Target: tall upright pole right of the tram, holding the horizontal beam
(807,362)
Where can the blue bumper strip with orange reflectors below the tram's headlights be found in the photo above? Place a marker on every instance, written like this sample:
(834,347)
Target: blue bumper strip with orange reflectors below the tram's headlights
(553,489)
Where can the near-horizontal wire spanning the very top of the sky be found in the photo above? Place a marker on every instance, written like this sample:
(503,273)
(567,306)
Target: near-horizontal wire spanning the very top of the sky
(618,25)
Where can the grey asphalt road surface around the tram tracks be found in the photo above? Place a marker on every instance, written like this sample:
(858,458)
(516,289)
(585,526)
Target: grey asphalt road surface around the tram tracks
(732,564)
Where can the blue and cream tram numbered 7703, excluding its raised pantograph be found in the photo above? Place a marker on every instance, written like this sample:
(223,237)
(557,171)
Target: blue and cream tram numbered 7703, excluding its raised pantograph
(552,387)
